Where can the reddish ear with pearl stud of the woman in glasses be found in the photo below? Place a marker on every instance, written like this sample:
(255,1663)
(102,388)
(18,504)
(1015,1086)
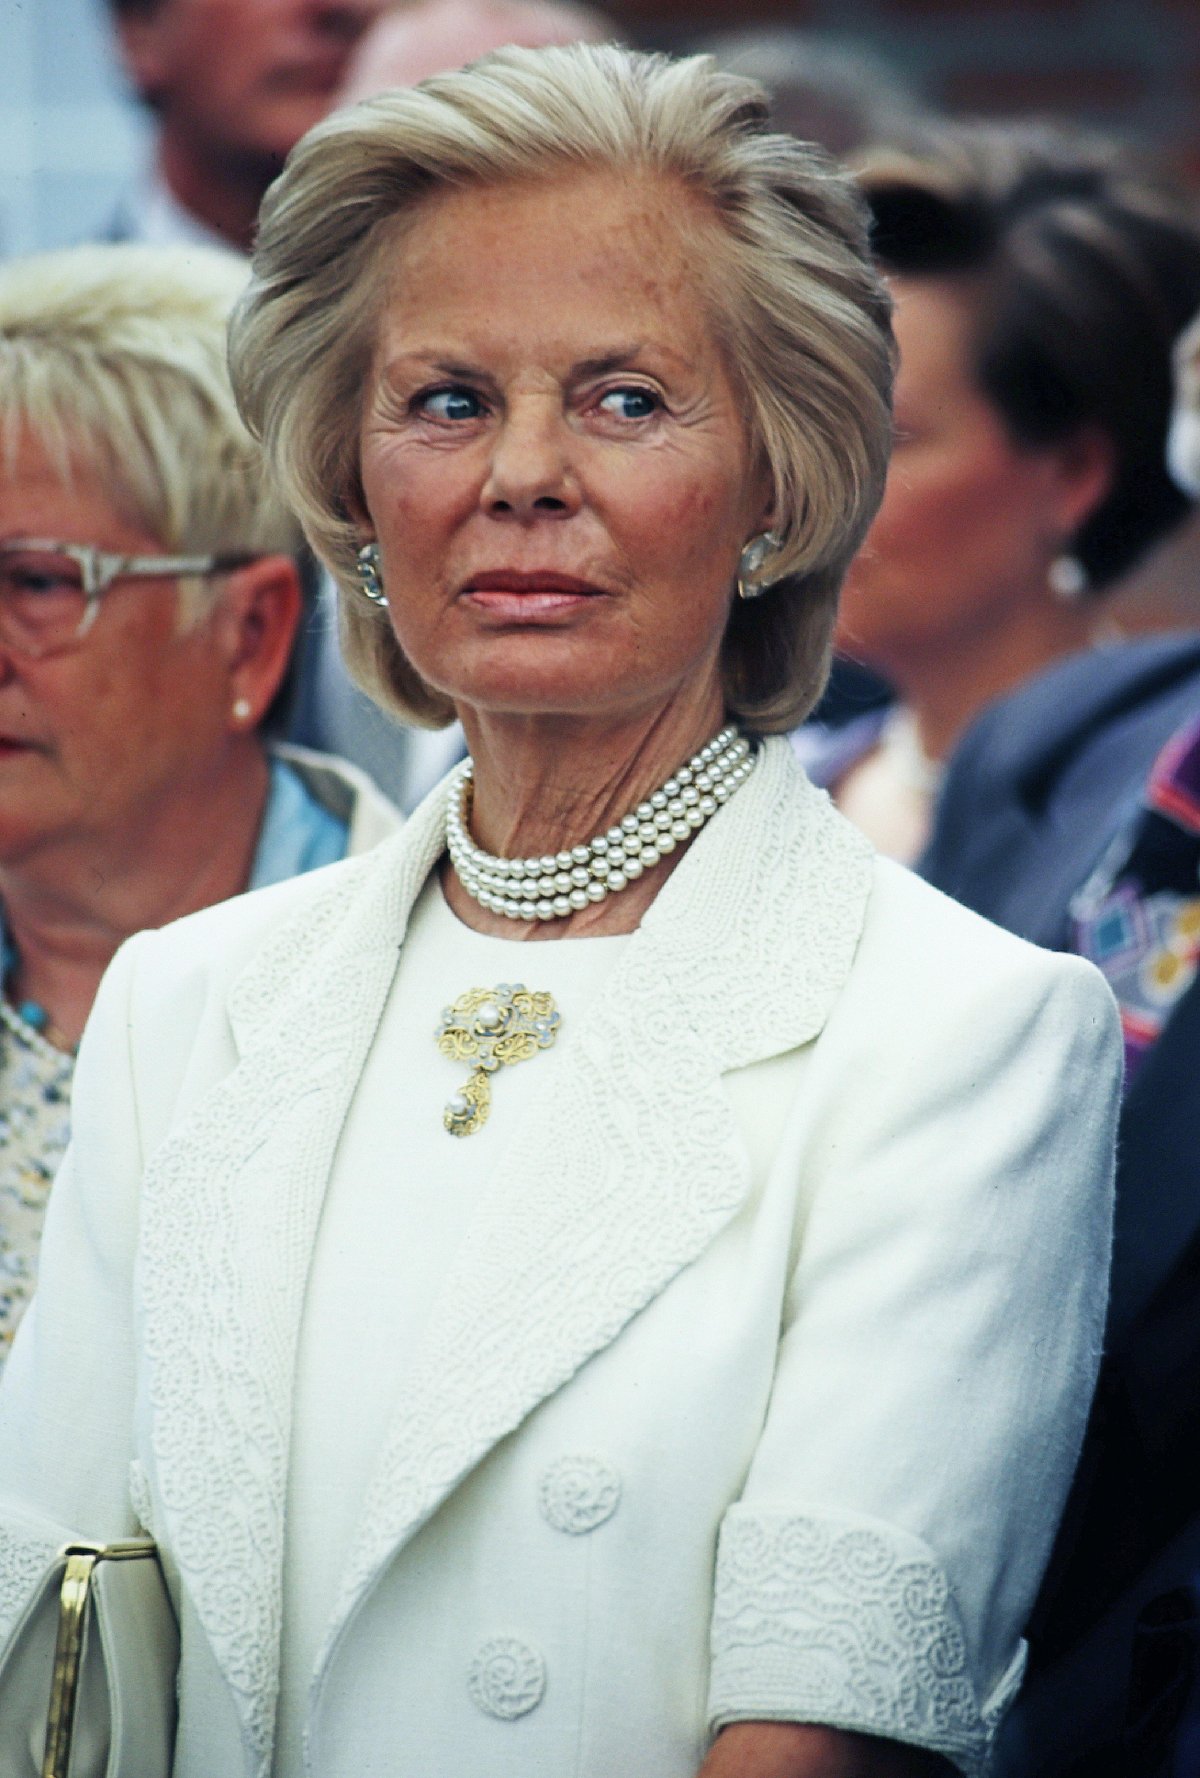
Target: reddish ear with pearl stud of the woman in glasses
(257,623)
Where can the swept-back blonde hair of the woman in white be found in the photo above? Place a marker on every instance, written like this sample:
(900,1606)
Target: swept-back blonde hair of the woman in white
(794,298)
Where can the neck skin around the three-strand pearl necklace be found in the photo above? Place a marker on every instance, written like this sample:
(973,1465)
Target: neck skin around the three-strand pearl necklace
(552,783)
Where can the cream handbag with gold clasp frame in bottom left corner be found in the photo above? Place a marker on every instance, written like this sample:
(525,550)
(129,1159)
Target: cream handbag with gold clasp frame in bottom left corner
(88,1676)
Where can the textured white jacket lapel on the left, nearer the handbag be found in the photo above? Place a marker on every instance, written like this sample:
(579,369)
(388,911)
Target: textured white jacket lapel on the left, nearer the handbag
(230,1208)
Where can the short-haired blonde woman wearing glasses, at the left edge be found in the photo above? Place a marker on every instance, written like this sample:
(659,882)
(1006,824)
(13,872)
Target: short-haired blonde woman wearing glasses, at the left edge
(148,607)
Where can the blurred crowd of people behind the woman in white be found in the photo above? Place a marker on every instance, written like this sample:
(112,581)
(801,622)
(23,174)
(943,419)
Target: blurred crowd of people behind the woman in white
(1014,710)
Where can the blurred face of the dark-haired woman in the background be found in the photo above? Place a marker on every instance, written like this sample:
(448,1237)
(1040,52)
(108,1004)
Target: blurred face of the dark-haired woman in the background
(970,522)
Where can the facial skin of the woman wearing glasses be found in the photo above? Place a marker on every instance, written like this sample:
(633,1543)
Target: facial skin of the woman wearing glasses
(95,739)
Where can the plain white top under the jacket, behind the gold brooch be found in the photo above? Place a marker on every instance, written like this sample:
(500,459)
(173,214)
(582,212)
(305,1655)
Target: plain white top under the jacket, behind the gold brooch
(403,1197)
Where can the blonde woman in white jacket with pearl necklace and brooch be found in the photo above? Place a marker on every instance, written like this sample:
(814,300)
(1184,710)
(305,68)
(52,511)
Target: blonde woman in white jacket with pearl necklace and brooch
(664,1347)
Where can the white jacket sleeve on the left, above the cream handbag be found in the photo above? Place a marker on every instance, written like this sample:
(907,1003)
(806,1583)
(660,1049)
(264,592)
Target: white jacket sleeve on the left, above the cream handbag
(67,1397)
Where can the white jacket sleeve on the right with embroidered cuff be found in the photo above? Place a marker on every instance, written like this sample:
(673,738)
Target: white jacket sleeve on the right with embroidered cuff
(940,1350)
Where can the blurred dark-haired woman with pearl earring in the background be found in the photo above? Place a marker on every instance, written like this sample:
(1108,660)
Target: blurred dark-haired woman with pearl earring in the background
(1041,280)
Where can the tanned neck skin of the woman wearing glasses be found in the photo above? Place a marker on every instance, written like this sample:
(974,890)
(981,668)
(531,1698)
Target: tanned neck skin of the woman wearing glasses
(68,906)
